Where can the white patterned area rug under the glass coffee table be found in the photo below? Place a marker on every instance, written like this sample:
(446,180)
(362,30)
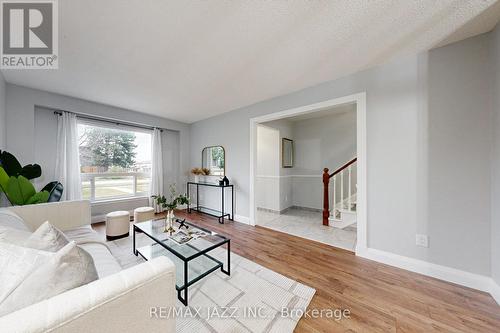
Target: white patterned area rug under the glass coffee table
(252,299)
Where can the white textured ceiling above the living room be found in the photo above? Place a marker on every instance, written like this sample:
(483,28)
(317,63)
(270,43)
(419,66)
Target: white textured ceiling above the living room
(190,60)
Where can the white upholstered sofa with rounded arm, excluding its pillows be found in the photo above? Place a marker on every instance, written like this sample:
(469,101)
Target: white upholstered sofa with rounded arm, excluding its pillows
(119,301)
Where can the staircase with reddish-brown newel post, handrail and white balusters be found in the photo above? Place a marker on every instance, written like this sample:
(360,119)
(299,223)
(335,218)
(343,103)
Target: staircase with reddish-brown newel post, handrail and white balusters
(339,193)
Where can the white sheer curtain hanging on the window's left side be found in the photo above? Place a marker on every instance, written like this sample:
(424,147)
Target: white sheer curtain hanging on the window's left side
(68,158)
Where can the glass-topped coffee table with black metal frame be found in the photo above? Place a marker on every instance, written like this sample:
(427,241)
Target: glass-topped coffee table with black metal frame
(192,259)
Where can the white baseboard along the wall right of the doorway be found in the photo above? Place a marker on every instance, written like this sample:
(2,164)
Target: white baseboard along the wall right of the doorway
(453,275)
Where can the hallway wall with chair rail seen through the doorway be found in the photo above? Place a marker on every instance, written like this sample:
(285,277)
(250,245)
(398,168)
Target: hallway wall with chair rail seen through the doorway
(327,140)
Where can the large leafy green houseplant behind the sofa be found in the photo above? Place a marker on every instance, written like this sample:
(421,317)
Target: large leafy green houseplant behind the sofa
(15,182)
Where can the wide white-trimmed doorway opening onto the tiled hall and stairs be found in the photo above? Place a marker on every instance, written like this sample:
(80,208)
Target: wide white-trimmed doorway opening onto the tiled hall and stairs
(289,151)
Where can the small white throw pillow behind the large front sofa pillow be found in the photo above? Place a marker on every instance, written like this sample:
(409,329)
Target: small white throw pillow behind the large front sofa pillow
(47,238)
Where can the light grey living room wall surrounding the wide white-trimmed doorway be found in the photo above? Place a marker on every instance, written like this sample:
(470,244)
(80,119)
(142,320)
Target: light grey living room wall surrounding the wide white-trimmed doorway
(397,149)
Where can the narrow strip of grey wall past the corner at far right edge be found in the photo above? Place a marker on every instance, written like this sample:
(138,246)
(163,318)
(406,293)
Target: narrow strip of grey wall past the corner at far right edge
(495,157)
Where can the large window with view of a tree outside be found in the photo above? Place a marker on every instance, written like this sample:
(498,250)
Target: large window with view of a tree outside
(114,163)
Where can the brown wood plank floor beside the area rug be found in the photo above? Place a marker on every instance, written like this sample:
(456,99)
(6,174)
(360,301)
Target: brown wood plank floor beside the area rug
(380,298)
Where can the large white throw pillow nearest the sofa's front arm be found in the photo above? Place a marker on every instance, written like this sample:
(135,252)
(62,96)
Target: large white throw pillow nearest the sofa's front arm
(64,270)
